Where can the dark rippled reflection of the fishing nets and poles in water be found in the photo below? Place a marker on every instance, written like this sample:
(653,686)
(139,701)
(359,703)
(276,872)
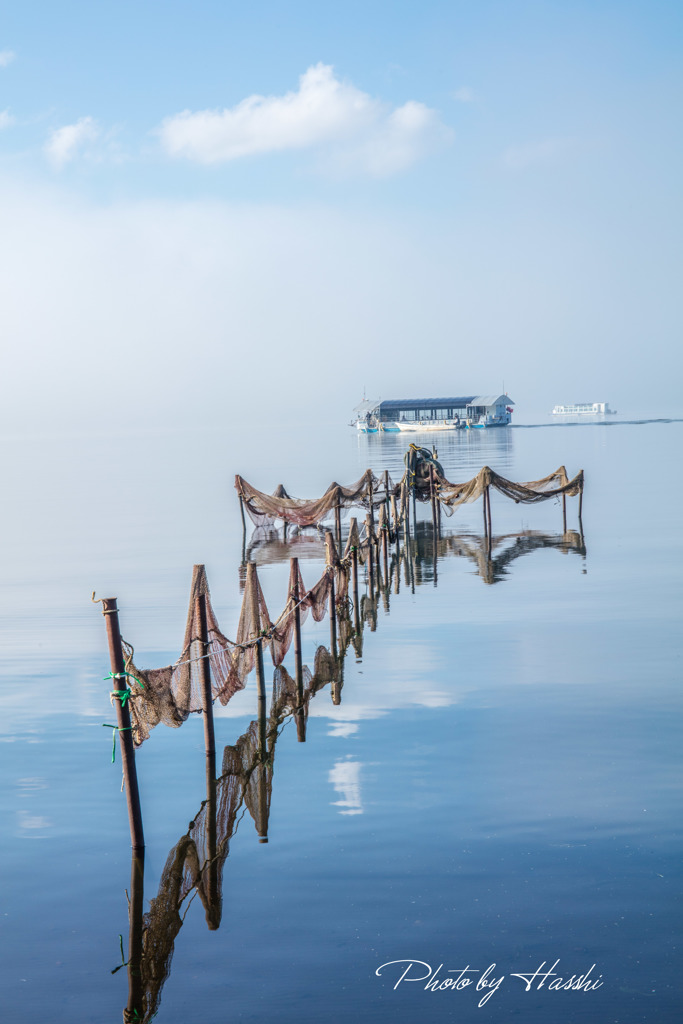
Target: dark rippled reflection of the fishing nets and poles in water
(196,864)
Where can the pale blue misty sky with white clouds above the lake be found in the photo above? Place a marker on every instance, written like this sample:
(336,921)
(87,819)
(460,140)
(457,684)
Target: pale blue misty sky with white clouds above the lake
(494,185)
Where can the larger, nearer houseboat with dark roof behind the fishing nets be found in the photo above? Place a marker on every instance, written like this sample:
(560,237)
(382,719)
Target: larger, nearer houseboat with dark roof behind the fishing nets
(417,415)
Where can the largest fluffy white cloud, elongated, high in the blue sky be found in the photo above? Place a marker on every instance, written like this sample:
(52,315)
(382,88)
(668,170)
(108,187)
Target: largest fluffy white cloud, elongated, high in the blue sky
(364,135)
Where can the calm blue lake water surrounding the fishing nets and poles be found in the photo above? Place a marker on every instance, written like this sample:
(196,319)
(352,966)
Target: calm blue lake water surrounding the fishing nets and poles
(501,783)
